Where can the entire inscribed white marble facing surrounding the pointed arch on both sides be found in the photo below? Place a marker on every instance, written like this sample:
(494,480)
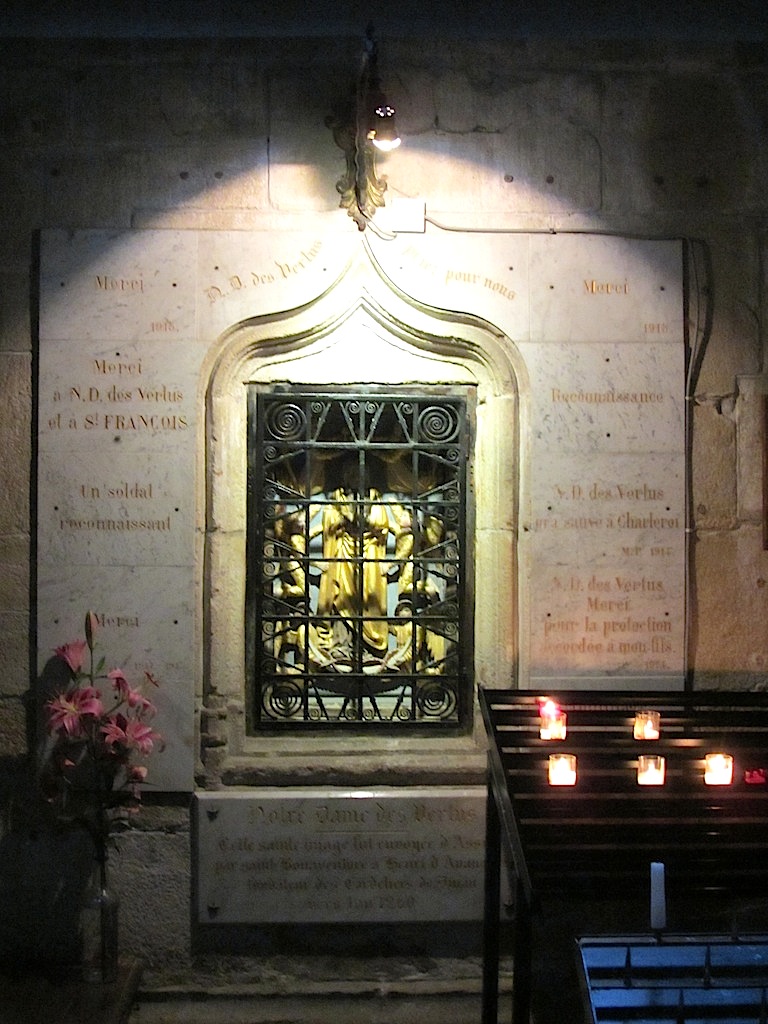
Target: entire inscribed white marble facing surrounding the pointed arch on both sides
(133,324)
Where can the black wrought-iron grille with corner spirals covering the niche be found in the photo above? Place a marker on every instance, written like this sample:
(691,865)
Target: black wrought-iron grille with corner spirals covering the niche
(358,602)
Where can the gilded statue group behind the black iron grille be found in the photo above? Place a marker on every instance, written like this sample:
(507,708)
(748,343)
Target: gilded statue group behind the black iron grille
(348,567)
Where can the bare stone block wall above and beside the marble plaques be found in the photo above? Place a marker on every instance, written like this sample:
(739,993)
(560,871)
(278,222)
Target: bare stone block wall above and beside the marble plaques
(658,141)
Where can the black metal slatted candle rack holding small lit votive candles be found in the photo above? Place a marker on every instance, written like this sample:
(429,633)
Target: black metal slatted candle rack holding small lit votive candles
(587,849)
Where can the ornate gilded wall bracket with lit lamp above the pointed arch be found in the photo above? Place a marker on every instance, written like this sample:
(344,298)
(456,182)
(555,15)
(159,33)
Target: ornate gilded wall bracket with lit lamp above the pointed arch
(367,125)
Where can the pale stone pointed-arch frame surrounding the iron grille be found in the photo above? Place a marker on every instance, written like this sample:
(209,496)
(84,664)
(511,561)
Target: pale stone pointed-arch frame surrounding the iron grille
(362,332)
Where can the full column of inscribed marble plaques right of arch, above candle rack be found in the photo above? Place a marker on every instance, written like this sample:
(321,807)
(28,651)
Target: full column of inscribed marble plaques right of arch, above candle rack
(606,607)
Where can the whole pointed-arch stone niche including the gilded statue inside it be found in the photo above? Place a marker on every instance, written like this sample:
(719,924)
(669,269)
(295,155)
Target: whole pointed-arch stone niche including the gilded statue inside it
(360,339)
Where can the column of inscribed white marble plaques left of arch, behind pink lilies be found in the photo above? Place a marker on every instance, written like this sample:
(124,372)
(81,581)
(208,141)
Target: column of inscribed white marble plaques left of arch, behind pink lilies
(119,408)
